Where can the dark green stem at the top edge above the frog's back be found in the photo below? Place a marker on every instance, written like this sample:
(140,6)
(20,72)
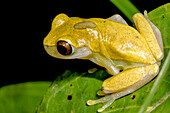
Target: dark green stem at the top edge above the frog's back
(126,7)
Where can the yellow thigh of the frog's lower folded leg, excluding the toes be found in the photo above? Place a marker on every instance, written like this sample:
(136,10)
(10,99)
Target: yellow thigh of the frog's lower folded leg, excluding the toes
(130,79)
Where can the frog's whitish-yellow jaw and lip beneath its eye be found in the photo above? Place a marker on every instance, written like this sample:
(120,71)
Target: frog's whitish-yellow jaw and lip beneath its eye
(82,52)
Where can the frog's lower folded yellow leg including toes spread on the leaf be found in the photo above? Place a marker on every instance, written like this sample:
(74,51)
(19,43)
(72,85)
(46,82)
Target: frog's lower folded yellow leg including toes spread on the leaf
(124,83)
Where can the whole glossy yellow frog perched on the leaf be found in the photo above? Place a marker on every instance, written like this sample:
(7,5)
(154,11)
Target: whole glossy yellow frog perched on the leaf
(131,56)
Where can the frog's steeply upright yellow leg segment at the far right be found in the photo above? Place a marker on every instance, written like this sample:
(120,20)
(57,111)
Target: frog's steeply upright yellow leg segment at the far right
(147,32)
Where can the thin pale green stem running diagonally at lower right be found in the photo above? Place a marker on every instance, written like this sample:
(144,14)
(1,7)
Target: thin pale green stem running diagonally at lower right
(156,84)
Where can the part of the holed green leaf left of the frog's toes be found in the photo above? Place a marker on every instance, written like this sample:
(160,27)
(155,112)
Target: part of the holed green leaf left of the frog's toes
(70,92)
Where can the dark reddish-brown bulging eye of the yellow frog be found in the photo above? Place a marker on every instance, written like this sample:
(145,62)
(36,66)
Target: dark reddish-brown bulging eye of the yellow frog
(64,48)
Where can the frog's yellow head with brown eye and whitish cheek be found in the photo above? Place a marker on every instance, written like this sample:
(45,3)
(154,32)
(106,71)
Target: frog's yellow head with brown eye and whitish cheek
(61,44)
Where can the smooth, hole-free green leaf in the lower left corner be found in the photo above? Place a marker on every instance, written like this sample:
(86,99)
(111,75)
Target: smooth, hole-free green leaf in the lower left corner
(22,98)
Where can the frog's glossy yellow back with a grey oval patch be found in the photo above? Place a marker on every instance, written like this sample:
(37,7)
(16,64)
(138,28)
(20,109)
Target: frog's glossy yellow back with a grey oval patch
(112,39)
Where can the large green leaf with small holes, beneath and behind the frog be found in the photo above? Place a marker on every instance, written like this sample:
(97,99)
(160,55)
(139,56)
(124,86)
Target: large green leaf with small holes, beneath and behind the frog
(70,92)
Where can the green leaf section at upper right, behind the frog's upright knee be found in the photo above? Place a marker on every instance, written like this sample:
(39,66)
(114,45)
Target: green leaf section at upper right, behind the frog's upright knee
(161,18)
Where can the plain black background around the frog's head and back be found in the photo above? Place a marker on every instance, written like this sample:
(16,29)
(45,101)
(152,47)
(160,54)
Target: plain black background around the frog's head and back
(28,22)
